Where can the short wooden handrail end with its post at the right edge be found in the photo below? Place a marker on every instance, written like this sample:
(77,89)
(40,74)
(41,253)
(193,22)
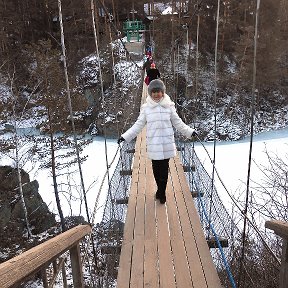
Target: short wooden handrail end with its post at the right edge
(280,228)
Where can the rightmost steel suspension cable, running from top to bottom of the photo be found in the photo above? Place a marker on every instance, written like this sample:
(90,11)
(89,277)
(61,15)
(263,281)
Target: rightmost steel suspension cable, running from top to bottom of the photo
(251,141)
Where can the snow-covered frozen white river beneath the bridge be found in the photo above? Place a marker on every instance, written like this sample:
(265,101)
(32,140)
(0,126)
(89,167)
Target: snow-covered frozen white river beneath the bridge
(231,164)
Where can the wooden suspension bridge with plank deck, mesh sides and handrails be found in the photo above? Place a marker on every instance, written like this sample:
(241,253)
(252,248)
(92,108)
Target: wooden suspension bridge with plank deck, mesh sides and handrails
(191,241)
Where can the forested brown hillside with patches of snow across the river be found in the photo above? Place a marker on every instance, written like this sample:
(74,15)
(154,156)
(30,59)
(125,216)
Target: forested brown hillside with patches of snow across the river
(31,58)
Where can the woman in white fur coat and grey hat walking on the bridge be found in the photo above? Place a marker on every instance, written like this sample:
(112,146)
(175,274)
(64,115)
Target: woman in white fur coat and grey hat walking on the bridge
(160,115)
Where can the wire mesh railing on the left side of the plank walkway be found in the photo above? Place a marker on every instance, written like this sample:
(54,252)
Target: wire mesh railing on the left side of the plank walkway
(109,232)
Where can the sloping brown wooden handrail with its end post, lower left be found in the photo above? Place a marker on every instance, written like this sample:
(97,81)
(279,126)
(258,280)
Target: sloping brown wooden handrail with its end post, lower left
(39,257)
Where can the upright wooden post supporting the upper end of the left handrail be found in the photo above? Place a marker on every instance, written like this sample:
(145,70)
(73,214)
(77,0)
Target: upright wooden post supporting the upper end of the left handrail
(76,266)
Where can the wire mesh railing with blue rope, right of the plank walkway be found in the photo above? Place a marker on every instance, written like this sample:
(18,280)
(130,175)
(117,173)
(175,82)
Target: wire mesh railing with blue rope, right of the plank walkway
(223,234)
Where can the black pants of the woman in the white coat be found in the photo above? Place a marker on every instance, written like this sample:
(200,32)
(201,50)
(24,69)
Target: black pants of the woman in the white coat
(160,171)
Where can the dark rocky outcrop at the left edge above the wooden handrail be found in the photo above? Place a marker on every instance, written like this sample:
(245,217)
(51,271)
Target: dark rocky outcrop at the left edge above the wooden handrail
(13,234)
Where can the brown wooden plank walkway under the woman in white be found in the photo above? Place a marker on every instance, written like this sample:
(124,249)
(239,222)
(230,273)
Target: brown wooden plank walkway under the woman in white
(163,245)
